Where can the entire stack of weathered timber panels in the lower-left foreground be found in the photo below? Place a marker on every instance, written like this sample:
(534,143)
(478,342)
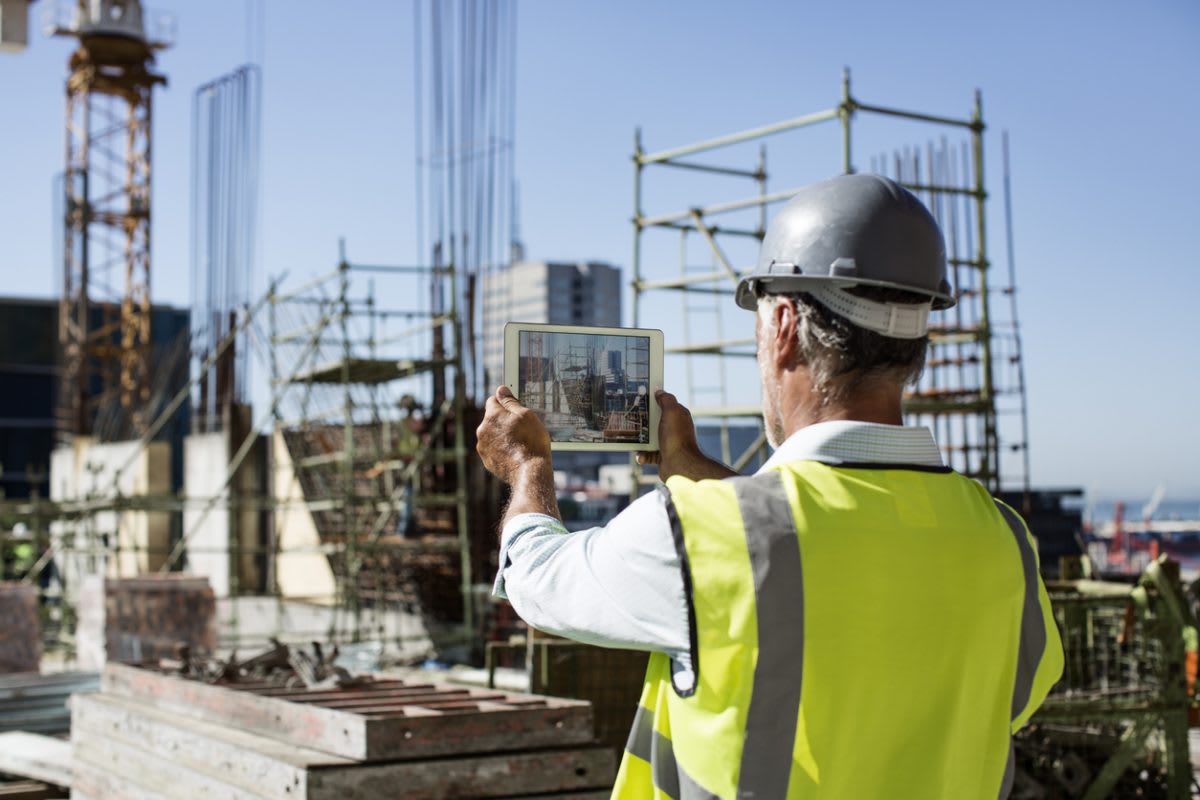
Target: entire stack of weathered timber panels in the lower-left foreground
(154,735)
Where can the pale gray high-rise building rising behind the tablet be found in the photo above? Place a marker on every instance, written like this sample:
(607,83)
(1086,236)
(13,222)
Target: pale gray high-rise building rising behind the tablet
(585,293)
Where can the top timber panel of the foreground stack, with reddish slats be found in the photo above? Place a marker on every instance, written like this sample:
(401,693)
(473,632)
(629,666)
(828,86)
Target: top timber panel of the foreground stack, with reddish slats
(407,733)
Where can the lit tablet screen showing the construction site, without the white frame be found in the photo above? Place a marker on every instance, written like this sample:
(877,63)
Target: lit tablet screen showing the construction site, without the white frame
(587,388)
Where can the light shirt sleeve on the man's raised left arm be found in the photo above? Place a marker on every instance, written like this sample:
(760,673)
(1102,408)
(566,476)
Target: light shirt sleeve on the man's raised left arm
(619,586)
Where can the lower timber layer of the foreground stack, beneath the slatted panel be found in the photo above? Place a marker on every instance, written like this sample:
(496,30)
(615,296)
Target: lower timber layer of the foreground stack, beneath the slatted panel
(127,750)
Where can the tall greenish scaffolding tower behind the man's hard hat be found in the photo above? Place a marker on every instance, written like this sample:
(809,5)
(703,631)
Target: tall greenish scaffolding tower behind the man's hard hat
(974,372)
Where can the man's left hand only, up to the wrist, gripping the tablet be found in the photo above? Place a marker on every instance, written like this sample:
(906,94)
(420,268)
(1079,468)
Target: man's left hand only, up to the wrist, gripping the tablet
(511,437)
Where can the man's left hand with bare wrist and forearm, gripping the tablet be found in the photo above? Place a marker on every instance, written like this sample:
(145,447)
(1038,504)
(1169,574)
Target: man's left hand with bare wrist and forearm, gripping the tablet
(514,446)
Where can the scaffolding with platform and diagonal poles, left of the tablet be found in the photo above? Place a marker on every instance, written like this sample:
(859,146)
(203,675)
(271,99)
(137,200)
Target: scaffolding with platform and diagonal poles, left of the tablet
(362,424)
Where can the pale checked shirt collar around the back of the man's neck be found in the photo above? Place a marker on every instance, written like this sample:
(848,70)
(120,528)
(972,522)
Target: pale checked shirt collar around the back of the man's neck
(843,442)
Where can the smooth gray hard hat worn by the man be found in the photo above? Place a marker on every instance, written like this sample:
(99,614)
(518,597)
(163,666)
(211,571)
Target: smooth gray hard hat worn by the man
(851,231)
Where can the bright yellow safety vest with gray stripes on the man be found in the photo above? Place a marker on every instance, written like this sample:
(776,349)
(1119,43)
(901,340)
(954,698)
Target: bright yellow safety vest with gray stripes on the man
(857,631)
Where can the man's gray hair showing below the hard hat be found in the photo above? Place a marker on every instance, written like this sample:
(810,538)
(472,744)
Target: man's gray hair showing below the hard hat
(842,357)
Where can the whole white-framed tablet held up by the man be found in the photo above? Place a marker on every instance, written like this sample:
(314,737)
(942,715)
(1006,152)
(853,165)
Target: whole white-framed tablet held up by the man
(593,388)
